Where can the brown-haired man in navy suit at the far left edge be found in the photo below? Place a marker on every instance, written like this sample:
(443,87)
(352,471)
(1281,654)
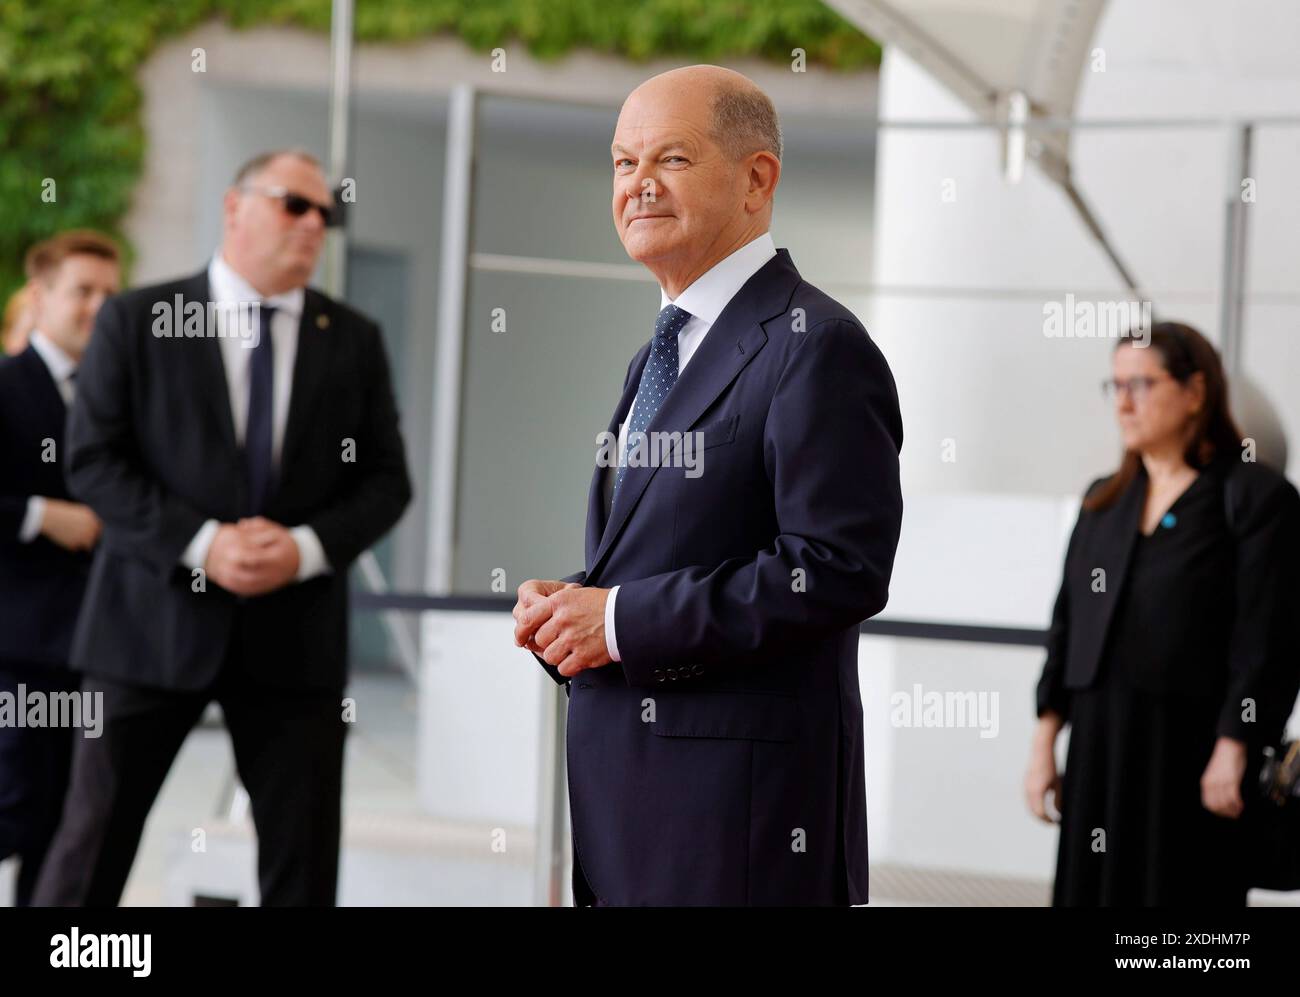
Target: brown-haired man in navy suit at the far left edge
(45,537)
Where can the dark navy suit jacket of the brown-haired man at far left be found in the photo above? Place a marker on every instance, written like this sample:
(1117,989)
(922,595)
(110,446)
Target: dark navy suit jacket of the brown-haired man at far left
(41,583)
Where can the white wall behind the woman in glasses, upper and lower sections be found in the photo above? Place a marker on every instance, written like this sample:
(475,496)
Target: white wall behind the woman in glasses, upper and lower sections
(960,319)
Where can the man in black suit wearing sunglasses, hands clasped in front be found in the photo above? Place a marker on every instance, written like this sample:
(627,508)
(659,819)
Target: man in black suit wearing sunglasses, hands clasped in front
(239,476)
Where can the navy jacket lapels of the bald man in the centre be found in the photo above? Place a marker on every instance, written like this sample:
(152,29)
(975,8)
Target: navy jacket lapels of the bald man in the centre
(727,349)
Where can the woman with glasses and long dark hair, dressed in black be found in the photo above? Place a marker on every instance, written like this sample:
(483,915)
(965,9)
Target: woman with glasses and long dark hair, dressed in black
(1172,653)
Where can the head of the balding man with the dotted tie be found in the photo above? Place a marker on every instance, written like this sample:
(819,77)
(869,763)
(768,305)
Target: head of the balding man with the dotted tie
(696,163)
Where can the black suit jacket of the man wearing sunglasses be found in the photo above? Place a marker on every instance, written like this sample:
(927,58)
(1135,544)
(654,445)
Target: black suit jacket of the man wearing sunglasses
(154,453)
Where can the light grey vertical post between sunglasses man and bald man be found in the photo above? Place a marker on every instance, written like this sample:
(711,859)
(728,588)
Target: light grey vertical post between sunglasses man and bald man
(457,198)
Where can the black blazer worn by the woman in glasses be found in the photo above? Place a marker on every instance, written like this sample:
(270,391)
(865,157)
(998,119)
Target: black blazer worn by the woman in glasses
(1258,605)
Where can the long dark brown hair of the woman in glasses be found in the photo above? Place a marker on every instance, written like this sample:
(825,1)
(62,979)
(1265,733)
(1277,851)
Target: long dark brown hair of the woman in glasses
(1185,353)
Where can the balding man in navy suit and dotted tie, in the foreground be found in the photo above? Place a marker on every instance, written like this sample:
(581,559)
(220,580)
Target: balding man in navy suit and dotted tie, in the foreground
(748,526)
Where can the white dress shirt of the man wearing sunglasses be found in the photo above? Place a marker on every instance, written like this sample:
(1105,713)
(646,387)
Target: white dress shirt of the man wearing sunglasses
(229,293)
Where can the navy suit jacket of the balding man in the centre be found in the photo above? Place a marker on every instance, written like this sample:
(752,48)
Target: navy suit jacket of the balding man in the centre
(722,761)
